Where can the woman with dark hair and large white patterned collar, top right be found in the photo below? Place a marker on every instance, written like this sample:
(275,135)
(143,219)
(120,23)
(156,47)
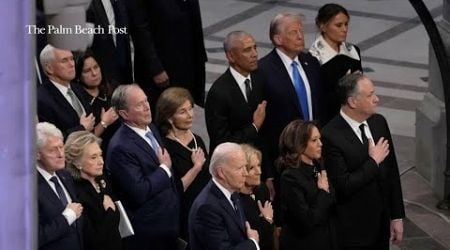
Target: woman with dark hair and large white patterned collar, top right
(336,56)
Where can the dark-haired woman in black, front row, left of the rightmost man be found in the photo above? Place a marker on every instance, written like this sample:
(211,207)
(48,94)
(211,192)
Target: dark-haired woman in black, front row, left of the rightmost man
(307,200)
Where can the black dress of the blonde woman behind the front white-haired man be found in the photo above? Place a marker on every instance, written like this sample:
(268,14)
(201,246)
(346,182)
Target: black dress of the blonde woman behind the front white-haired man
(252,214)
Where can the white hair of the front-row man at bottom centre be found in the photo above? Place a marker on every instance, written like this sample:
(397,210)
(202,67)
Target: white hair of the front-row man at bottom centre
(222,154)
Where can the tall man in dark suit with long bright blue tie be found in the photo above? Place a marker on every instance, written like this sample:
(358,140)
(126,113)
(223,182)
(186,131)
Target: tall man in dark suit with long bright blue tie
(285,68)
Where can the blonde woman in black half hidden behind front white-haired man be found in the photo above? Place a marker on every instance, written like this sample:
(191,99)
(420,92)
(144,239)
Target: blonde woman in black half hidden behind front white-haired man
(255,199)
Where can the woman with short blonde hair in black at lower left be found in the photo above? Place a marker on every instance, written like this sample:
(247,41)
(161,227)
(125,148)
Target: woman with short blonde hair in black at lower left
(101,218)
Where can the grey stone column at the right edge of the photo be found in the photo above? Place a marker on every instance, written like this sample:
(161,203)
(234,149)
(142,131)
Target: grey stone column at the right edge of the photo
(430,117)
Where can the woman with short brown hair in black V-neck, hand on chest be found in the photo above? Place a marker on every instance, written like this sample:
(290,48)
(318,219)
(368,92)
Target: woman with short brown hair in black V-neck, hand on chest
(174,117)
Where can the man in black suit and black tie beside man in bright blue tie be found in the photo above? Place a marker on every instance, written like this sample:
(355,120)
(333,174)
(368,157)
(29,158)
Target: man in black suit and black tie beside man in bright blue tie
(234,108)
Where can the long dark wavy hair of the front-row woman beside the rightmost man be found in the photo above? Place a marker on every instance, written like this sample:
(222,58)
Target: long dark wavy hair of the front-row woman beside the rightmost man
(293,142)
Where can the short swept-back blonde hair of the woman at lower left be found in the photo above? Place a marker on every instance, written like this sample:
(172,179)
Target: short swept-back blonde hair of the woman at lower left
(74,149)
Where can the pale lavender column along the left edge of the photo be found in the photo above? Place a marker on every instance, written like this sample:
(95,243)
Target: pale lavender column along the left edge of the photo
(17,97)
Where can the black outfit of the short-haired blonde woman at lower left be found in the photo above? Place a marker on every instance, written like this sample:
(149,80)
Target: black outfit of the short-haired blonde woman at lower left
(101,227)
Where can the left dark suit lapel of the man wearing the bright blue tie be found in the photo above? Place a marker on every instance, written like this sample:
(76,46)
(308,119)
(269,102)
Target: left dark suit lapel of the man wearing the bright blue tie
(285,80)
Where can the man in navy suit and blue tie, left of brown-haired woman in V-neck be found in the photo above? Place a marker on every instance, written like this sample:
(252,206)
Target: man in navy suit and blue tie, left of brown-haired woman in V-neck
(140,168)
